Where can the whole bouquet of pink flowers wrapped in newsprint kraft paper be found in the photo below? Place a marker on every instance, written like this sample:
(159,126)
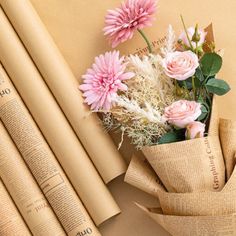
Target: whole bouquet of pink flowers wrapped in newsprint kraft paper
(165,103)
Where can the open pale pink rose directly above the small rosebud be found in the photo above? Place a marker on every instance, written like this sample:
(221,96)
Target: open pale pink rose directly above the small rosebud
(182,113)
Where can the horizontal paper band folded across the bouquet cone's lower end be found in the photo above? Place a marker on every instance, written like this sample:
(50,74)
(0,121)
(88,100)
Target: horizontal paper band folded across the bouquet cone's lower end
(198,204)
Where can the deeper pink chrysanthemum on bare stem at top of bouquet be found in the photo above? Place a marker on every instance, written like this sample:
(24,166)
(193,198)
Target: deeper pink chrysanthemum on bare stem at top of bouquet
(123,21)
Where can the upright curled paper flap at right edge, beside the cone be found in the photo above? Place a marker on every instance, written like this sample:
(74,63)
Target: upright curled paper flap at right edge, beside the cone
(228,143)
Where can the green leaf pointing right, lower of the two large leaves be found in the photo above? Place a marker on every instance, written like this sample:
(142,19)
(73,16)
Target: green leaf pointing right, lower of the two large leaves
(217,86)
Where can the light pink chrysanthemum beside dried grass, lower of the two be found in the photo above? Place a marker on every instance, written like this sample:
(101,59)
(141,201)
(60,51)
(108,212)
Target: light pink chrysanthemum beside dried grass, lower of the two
(104,79)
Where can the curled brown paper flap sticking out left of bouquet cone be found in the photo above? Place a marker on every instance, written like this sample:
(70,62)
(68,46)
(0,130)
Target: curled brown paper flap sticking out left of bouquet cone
(141,175)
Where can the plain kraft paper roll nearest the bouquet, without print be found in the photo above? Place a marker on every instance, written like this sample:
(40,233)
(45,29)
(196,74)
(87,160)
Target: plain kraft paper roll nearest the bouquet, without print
(64,86)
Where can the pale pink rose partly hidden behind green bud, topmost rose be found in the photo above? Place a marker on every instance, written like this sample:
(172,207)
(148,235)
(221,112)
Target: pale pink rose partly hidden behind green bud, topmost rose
(191,32)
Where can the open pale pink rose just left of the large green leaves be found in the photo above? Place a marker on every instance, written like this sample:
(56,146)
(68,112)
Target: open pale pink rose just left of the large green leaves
(180,65)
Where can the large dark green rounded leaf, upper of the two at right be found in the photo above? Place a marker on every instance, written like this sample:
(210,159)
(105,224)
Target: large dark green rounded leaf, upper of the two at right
(211,64)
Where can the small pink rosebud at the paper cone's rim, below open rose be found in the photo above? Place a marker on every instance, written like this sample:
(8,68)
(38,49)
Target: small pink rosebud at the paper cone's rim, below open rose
(195,129)
